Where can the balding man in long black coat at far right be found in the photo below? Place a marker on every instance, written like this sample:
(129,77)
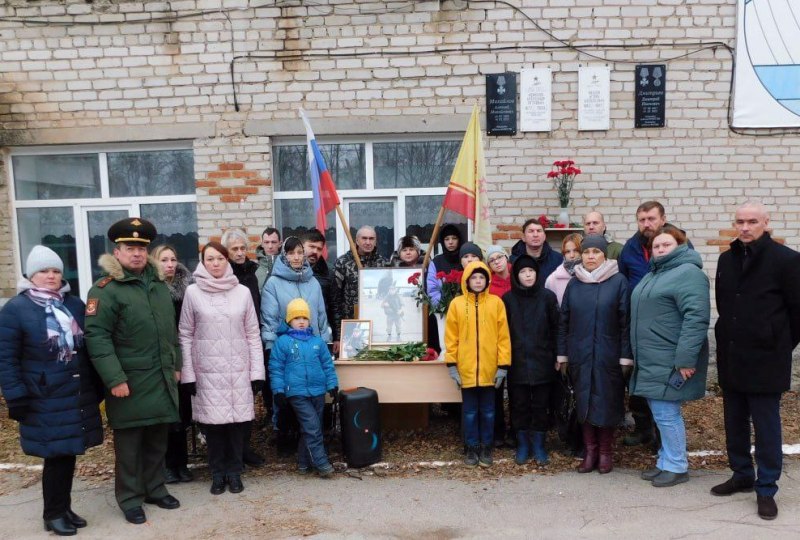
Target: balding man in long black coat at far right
(758,299)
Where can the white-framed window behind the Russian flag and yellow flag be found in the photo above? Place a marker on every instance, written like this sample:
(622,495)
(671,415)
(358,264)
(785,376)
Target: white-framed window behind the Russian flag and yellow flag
(395,186)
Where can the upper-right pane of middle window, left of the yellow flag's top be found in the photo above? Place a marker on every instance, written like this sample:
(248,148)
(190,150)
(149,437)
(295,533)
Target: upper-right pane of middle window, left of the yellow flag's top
(413,164)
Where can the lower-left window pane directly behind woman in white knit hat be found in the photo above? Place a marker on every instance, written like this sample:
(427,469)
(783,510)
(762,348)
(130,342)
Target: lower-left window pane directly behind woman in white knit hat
(54,228)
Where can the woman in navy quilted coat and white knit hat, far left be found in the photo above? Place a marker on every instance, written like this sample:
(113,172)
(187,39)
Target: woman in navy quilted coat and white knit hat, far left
(48,383)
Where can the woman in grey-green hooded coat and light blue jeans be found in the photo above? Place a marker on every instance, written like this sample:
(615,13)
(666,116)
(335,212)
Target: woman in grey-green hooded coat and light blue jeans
(670,312)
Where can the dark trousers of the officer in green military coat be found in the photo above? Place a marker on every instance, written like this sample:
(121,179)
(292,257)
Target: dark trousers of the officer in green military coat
(139,468)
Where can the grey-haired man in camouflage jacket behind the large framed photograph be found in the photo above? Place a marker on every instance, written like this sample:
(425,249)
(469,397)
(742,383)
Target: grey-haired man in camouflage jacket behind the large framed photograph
(345,273)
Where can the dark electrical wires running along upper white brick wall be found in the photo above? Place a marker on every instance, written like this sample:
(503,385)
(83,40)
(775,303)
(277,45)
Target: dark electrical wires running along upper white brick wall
(587,49)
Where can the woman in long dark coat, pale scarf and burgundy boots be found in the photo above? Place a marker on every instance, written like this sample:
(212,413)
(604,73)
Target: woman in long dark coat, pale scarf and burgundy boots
(594,340)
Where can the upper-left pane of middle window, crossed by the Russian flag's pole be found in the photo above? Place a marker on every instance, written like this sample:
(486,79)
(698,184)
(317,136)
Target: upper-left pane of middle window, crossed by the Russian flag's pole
(346,163)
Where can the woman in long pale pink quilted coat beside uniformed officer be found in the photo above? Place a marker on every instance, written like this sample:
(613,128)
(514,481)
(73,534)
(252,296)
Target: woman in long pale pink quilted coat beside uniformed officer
(223,364)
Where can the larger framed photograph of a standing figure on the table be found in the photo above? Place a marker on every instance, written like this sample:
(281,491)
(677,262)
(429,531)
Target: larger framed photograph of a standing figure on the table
(386,298)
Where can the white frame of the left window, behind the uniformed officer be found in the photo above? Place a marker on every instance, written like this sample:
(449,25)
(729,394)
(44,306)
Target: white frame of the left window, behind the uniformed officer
(80,205)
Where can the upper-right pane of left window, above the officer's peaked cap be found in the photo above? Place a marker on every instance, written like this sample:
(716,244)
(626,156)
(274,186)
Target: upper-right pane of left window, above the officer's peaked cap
(163,172)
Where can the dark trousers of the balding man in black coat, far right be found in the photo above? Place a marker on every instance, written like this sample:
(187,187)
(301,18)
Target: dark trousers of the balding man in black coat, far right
(764,409)
